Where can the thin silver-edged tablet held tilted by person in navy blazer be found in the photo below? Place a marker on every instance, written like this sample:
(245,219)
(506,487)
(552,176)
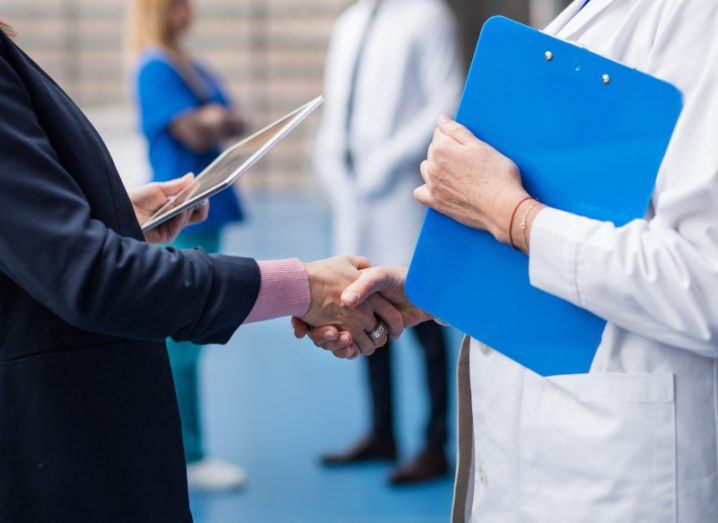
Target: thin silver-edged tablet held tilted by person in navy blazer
(231,164)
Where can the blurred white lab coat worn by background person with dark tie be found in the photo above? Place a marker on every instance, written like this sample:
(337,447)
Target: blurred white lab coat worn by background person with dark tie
(411,73)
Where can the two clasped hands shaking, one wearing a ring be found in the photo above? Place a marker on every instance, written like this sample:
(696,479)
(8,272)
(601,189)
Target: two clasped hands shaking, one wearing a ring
(354,307)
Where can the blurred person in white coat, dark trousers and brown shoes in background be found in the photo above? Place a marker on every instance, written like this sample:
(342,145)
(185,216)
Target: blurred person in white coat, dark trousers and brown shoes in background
(393,67)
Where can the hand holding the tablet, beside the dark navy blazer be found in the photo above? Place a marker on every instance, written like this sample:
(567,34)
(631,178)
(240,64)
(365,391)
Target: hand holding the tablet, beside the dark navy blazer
(148,199)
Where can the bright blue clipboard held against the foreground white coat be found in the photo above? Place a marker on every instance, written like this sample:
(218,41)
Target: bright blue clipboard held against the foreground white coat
(589,136)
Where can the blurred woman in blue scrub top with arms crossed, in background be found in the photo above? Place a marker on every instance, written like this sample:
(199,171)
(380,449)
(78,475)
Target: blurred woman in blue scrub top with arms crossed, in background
(186,116)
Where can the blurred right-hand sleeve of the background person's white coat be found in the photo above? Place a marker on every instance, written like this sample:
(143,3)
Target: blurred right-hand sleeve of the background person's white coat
(441,74)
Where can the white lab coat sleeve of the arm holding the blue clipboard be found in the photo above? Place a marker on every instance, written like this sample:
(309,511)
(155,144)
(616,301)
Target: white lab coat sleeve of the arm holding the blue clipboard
(657,277)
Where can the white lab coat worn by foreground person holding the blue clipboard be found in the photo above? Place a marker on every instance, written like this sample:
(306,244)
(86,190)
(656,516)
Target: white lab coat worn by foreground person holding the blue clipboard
(636,439)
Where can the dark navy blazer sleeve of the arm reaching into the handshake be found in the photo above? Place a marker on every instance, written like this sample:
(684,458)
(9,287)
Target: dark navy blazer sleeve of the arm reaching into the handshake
(53,248)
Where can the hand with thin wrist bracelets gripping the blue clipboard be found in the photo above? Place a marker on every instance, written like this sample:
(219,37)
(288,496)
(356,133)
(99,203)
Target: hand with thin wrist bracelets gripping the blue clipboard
(471,182)
